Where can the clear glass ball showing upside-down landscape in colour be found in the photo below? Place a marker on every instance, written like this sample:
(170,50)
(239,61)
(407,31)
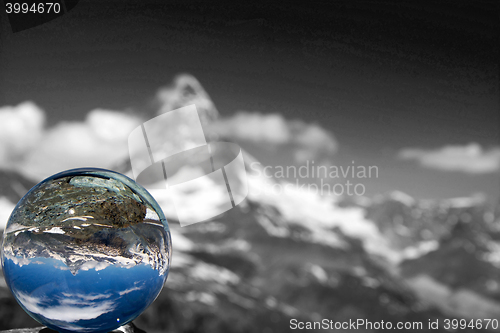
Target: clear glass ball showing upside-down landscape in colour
(86,250)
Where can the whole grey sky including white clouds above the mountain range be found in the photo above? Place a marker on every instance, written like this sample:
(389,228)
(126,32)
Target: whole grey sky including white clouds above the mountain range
(409,88)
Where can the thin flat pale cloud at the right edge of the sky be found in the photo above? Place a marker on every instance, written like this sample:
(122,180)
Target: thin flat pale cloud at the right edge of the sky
(471,158)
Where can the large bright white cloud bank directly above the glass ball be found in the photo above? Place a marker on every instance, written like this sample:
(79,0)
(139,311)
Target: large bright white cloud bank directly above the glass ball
(98,141)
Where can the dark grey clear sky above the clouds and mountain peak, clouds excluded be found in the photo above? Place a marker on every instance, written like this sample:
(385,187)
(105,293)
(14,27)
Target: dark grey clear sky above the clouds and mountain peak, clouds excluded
(381,75)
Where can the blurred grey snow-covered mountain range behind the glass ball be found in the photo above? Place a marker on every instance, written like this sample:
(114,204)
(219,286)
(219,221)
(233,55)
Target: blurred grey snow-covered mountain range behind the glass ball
(296,254)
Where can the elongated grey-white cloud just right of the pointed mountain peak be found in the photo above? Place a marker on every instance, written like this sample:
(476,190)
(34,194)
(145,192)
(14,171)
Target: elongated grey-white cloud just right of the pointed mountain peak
(309,141)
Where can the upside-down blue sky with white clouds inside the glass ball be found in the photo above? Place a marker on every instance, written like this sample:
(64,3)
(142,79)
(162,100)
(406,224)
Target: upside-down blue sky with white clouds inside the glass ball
(57,297)
